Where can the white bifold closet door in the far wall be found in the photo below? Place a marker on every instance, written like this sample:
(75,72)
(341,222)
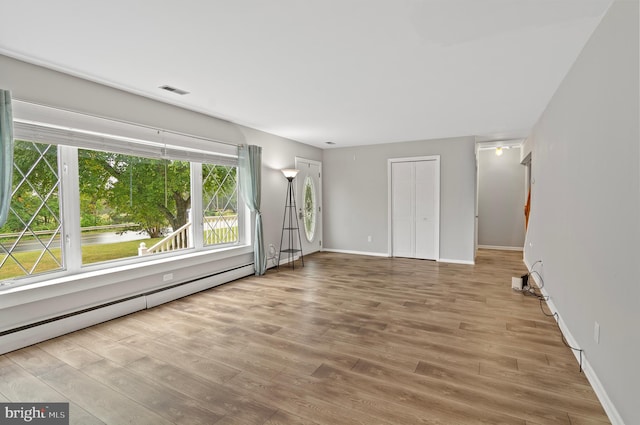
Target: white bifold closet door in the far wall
(414,209)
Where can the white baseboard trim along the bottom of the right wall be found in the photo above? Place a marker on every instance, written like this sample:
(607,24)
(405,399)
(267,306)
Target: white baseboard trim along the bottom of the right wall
(601,393)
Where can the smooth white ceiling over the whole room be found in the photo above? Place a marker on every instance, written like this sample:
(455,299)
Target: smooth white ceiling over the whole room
(346,71)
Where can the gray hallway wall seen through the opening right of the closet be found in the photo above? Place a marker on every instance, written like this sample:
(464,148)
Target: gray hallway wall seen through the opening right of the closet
(501,198)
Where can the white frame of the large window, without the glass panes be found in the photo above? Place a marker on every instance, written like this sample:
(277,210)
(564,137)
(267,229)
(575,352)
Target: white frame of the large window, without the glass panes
(88,129)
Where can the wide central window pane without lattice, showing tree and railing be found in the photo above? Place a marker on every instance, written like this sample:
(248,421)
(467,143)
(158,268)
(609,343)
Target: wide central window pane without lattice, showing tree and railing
(128,200)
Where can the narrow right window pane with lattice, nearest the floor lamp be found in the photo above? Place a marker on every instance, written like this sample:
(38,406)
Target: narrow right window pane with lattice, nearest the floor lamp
(220,201)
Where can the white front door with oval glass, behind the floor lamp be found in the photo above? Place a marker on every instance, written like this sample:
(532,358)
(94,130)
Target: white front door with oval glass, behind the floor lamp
(309,203)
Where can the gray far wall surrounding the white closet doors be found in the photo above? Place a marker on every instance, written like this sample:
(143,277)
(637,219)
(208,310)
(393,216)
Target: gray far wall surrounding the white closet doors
(355,194)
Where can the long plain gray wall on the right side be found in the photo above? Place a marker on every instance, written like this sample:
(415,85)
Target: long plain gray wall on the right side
(585,215)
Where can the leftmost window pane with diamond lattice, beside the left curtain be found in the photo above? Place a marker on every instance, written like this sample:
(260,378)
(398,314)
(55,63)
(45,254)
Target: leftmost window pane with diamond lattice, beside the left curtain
(30,239)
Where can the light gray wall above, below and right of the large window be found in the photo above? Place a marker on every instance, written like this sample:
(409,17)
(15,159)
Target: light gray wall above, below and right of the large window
(39,85)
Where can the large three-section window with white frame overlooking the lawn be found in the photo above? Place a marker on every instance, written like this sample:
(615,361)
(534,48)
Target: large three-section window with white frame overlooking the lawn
(75,205)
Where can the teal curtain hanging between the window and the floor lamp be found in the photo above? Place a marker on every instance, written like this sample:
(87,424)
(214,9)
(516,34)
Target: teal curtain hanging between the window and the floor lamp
(250,169)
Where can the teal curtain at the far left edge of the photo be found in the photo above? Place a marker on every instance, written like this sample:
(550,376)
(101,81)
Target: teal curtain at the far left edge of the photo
(6,154)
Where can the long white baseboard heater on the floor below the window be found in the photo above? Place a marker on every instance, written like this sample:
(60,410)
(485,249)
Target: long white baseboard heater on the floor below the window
(57,327)
